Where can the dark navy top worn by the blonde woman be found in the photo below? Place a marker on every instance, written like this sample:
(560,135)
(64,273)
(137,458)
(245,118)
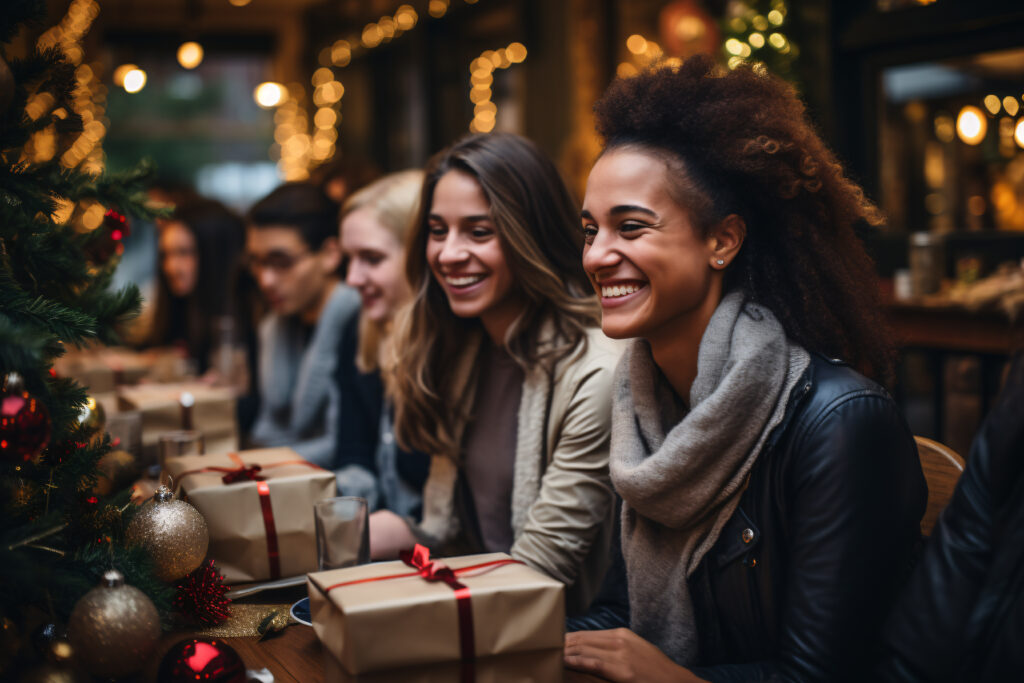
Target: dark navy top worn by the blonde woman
(360,419)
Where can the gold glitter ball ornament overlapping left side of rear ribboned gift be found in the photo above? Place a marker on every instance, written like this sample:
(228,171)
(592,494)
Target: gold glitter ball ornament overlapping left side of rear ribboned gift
(174,532)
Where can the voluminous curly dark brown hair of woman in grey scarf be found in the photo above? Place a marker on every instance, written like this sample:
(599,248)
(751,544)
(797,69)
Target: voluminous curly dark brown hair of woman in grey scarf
(741,143)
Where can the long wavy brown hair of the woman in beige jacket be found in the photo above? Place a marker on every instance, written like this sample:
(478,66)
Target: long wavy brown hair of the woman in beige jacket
(538,223)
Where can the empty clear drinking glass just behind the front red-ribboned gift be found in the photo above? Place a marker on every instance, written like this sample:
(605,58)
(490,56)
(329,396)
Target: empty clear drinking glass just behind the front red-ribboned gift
(343,532)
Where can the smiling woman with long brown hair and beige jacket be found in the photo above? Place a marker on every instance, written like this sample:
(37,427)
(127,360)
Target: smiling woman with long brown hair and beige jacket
(502,374)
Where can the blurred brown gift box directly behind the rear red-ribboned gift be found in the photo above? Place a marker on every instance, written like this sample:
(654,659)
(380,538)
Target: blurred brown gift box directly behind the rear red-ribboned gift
(212,414)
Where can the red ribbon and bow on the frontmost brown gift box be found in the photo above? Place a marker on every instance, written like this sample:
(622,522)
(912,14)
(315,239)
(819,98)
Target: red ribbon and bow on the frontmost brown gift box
(433,571)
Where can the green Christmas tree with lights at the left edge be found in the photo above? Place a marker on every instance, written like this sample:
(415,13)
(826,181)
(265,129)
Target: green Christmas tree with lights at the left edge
(61,224)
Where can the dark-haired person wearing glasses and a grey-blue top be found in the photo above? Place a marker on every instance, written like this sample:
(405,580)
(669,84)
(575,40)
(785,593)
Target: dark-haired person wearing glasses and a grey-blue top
(293,254)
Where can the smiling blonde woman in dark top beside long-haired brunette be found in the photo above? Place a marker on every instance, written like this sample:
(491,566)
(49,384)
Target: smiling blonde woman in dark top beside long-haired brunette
(374,224)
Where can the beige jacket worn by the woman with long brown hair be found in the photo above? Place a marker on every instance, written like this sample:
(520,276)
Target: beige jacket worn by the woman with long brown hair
(563,501)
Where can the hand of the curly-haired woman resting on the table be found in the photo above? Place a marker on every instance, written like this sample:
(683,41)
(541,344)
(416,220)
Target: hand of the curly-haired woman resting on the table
(623,657)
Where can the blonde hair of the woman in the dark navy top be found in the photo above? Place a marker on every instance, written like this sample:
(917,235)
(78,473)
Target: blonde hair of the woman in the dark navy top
(395,201)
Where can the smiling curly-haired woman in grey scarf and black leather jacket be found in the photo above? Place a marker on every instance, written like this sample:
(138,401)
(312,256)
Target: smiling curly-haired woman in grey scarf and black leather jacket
(772,493)
